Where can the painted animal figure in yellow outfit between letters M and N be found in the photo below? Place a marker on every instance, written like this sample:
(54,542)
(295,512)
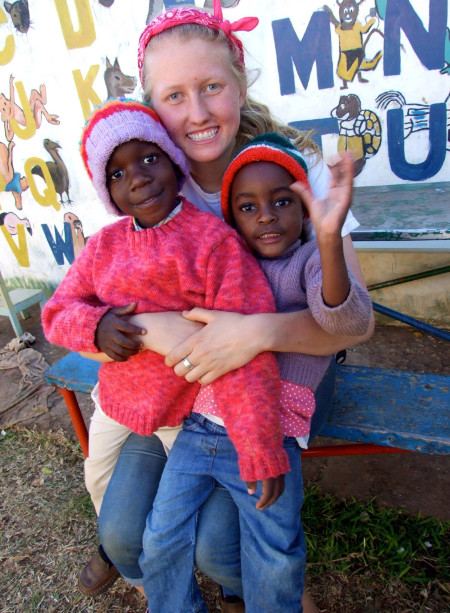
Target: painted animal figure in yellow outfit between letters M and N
(351,46)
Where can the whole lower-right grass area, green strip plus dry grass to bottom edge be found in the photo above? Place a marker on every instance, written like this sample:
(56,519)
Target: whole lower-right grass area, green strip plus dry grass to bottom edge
(398,560)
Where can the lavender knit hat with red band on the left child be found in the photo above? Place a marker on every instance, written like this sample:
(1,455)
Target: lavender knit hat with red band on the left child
(119,121)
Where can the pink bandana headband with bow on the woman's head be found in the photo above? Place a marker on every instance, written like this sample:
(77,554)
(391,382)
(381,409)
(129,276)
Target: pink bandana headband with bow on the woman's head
(177,17)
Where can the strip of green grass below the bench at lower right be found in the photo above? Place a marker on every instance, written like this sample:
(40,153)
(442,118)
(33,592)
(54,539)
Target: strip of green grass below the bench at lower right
(347,535)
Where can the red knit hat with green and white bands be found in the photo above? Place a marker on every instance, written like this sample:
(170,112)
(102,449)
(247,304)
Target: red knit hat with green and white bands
(270,147)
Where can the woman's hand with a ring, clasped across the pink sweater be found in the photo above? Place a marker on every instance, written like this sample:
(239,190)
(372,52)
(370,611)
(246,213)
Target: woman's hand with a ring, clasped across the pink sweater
(227,342)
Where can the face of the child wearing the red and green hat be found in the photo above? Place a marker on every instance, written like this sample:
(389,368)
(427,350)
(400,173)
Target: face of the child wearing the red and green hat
(268,215)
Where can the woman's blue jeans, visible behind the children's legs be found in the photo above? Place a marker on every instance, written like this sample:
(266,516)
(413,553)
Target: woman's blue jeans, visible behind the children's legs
(129,499)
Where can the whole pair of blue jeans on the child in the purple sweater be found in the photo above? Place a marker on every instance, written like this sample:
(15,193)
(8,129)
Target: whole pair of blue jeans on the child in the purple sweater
(272,544)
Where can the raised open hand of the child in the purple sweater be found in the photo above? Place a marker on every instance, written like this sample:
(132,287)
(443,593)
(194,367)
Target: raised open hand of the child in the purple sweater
(328,215)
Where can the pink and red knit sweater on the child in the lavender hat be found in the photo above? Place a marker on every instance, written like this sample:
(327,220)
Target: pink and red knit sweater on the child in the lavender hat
(193,260)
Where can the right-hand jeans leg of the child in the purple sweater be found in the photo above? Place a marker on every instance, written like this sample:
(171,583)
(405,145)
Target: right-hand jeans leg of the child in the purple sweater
(273,550)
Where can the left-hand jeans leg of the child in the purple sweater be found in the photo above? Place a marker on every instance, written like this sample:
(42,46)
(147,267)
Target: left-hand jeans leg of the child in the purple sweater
(169,537)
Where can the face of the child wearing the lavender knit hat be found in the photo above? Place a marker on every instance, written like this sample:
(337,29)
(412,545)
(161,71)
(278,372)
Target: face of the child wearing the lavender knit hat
(142,181)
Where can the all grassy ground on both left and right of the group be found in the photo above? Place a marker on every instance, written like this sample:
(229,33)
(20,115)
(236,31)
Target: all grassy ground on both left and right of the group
(362,559)
